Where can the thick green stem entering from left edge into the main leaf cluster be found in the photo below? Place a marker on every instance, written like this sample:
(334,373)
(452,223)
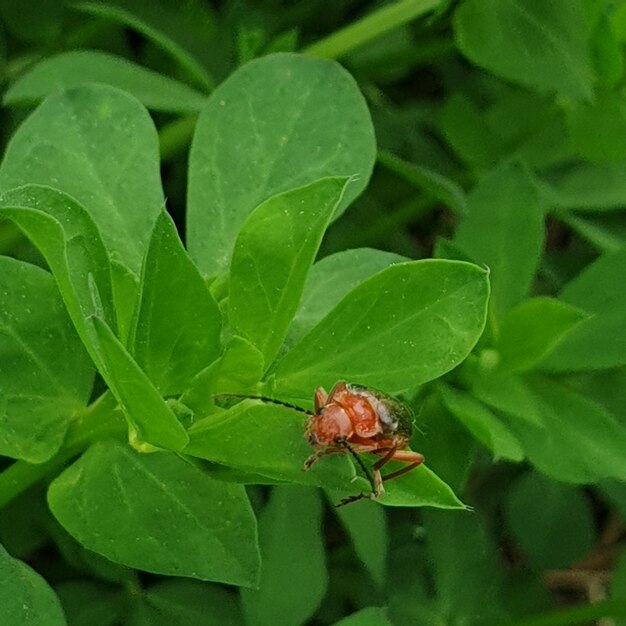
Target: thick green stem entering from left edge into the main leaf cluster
(99,420)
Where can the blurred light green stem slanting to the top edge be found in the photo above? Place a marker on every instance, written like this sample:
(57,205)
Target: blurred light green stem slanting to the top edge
(369,27)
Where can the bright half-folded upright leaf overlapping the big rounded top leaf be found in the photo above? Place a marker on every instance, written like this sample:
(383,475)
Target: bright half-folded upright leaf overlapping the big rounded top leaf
(272,256)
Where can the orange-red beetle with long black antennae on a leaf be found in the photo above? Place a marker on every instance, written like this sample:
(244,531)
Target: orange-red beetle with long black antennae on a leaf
(353,419)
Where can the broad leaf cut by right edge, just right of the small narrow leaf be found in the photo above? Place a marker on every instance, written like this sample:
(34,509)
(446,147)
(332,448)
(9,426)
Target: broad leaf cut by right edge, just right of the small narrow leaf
(578,441)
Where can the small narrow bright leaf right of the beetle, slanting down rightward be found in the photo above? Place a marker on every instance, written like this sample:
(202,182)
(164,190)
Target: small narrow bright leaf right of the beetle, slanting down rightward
(482,423)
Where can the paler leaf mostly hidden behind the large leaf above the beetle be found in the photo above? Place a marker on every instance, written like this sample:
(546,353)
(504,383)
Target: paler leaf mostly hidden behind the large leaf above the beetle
(330,280)
